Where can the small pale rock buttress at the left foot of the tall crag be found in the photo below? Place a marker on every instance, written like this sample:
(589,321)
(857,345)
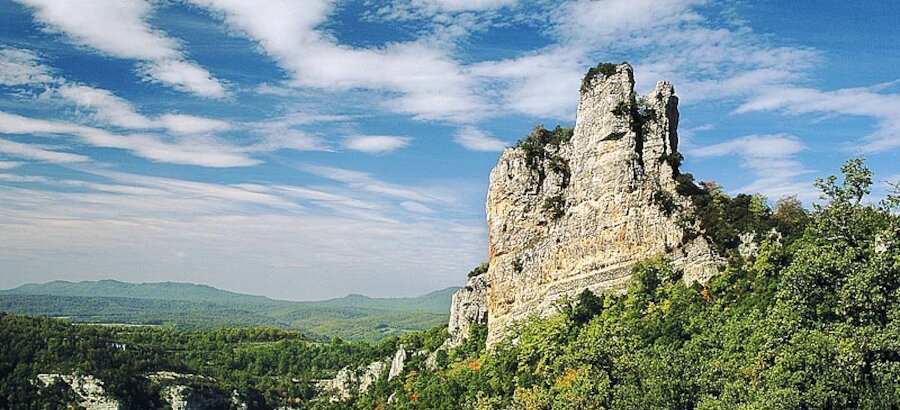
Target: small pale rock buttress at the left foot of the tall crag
(468,307)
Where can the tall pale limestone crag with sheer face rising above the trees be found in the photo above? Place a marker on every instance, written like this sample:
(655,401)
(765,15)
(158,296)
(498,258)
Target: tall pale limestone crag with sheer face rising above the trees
(577,211)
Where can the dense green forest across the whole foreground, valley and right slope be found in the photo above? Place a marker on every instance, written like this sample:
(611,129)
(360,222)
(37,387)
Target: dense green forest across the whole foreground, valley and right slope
(807,318)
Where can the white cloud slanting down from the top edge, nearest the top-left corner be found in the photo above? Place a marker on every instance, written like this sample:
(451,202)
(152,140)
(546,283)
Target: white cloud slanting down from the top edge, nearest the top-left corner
(119,28)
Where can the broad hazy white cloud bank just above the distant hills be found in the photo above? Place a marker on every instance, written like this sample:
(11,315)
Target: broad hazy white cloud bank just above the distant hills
(130,225)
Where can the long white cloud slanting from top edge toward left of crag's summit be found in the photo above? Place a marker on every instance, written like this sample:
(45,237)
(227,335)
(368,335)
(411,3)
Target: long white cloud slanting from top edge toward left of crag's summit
(431,84)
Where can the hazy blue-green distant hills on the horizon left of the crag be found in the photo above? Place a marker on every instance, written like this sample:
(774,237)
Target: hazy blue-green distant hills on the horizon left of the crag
(195,306)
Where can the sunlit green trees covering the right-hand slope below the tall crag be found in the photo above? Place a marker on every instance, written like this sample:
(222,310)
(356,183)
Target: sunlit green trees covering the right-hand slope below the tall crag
(809,324)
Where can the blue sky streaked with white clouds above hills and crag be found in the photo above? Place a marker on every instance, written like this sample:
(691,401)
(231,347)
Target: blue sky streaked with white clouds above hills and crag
(313,148)
